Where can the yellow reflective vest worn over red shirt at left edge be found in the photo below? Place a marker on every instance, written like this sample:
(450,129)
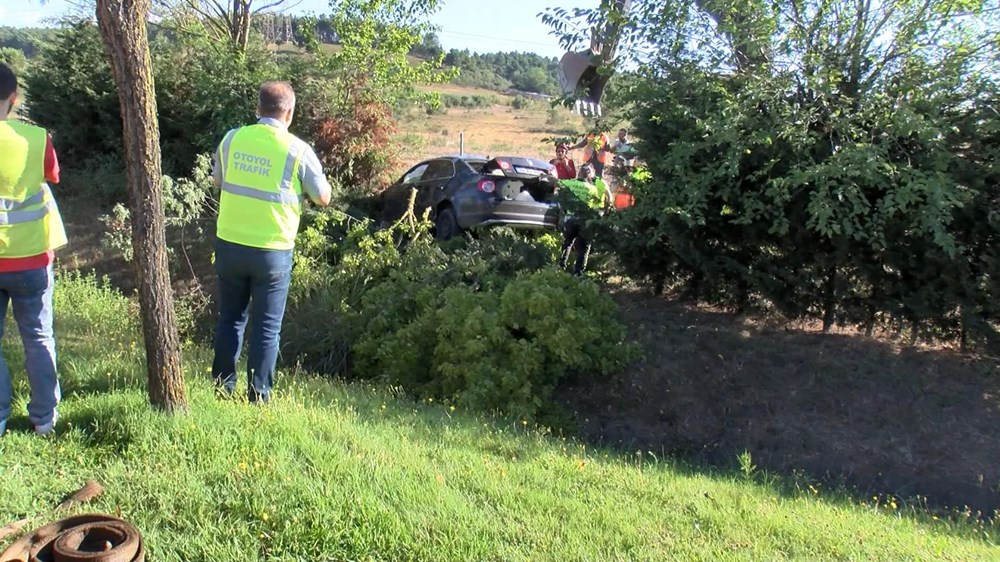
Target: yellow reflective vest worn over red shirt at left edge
(30,223)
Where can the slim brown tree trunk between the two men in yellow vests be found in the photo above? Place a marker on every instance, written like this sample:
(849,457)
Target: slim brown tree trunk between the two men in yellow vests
(123,27)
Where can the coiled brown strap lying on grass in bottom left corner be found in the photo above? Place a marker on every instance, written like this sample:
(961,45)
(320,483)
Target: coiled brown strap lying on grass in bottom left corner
(81,538)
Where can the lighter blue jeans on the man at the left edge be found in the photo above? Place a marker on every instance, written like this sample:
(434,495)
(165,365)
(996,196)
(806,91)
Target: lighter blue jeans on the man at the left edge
(30,292)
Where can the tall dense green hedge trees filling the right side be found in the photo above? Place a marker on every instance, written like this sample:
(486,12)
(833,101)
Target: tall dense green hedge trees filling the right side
(829,160)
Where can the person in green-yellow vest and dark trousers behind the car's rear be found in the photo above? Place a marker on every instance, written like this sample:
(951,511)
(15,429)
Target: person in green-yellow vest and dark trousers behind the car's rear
(582,200)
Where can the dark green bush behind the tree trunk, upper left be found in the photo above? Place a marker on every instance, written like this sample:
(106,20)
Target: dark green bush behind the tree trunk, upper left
(202,91)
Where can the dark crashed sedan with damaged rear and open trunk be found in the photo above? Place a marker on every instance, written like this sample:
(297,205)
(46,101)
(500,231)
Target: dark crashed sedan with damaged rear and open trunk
(464,192)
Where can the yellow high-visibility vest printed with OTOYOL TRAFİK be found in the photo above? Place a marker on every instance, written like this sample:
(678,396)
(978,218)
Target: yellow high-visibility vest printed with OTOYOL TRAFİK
(261,200)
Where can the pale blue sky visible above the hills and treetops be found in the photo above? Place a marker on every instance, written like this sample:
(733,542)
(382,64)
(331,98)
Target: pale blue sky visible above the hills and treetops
(477,25)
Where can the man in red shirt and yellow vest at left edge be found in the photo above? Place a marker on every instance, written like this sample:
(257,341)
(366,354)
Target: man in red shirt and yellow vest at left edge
(30,230)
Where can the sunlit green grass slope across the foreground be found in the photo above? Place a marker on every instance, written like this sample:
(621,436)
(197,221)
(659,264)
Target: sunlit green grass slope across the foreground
(330,471)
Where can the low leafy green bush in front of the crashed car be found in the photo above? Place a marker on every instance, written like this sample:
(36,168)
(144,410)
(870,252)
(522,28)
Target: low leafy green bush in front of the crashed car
(486,323)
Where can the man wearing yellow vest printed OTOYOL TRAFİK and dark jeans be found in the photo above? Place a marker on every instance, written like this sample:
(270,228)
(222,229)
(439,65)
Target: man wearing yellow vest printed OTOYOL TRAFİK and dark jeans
(265,173)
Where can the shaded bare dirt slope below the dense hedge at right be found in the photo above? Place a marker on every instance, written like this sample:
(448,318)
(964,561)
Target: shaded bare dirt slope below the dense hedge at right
(877,416)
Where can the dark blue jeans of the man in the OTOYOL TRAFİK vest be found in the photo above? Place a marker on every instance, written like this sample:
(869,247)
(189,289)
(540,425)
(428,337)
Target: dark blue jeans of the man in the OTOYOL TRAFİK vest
(246,274)
